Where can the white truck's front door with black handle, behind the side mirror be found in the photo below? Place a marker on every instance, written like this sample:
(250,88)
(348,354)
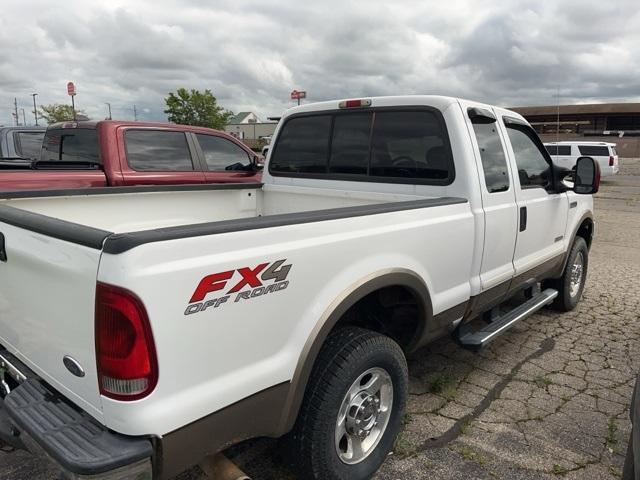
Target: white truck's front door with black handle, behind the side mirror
(542,214)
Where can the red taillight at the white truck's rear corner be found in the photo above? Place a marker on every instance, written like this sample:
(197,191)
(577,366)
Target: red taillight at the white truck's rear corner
(125,352)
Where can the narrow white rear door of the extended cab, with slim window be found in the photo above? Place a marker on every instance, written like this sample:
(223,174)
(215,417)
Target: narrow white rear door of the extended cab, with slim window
(498,196)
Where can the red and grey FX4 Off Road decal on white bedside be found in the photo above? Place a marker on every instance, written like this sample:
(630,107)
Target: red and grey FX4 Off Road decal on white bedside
(239,285)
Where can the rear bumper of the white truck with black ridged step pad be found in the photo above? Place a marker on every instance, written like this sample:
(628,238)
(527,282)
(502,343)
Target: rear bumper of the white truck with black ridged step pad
(34,417)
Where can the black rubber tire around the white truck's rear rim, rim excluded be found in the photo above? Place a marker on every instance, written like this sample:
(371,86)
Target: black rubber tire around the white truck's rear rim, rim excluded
(347,353)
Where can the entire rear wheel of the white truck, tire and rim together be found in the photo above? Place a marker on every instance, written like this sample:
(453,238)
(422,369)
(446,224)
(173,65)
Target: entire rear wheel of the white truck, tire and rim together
(353,406)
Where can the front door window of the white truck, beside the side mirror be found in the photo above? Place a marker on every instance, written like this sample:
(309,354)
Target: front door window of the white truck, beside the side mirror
(533,169)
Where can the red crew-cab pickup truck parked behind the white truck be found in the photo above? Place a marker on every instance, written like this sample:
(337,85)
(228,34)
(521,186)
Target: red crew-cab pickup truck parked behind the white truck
(120,153)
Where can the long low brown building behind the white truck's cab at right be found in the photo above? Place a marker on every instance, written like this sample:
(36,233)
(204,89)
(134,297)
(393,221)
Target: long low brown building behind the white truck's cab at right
(612,122)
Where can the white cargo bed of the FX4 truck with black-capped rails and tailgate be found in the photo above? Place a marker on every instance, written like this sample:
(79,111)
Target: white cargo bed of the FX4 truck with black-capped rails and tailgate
(159,242)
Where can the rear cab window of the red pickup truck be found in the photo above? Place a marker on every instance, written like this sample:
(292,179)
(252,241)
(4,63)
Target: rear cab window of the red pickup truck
(70,145)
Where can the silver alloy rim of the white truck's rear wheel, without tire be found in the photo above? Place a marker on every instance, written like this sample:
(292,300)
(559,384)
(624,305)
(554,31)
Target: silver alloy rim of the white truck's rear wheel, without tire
(364,415)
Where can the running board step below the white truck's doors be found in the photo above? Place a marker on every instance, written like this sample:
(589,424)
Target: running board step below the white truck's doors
(482,337)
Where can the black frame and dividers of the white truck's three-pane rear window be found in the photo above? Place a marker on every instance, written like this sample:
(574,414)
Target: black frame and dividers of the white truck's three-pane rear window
(366,178)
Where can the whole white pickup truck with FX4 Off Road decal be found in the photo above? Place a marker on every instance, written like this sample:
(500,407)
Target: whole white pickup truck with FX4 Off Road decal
(144,328)
